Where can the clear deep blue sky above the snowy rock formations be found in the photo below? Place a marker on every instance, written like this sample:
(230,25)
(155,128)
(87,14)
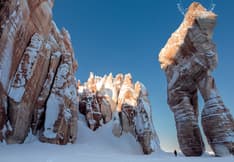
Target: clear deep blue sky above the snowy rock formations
(125,36)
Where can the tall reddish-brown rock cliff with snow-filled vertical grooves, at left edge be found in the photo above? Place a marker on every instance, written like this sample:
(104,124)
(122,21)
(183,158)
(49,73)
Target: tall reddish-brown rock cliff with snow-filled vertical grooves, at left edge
(37,83)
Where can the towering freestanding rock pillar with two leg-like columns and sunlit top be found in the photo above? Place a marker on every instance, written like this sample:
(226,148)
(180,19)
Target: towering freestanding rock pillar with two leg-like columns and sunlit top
(187,59)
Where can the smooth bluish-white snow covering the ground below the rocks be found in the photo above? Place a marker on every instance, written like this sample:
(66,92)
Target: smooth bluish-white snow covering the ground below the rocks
(92,147)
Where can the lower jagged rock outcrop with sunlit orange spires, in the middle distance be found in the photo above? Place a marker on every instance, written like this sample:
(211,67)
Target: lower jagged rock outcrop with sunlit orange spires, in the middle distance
(105,98)
